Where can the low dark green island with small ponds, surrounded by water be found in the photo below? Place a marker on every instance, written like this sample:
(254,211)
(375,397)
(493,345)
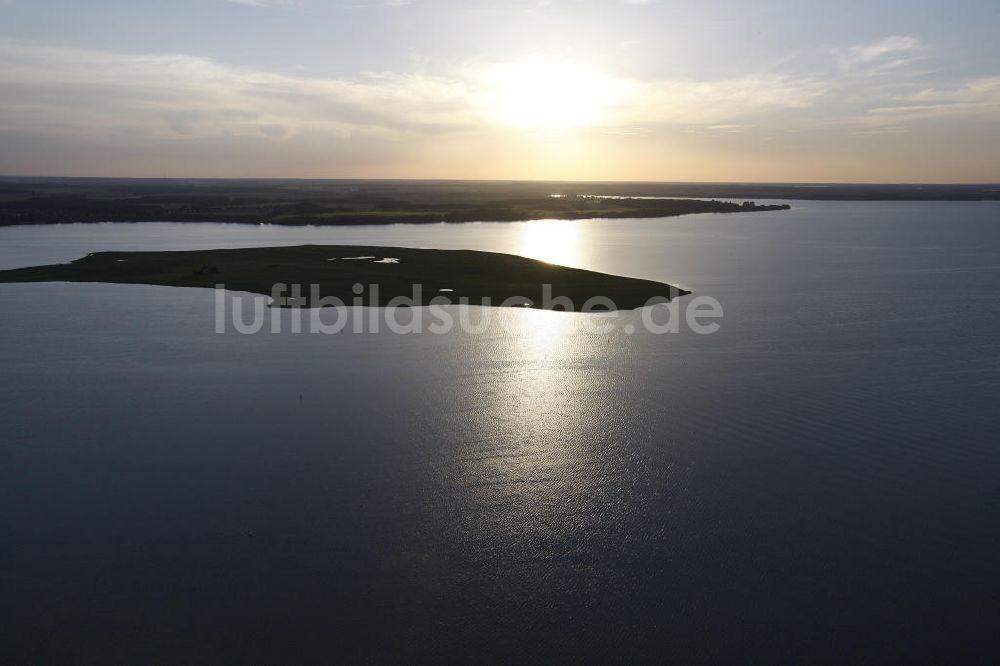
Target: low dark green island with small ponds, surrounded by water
(423,276)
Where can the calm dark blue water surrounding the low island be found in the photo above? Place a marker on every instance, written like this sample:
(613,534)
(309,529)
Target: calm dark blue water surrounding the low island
(820,480)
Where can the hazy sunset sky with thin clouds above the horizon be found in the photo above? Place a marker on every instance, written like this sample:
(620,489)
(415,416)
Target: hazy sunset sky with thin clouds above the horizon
(651,90)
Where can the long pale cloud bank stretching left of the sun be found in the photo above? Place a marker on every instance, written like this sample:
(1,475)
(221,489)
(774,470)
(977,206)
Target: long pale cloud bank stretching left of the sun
(55,89)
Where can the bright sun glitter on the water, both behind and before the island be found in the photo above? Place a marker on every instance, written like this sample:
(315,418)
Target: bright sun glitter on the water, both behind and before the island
(527,471)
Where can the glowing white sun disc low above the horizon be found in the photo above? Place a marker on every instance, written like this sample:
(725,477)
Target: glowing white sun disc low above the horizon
(547,93)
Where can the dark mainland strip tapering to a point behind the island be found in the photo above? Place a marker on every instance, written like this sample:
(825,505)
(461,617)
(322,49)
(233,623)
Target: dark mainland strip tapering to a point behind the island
(303,202)
